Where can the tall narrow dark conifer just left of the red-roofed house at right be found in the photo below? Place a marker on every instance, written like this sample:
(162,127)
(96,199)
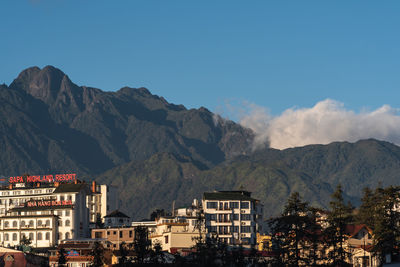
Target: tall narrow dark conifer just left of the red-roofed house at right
(339,217)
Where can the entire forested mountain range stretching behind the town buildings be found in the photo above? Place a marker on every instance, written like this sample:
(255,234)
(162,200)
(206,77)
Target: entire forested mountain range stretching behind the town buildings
(156,152)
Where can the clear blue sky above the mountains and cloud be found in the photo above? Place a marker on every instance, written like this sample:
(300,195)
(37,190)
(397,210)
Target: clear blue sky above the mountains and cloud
(275,54)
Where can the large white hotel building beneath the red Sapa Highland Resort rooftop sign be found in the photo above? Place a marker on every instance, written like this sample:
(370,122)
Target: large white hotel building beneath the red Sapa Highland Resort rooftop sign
(47,213)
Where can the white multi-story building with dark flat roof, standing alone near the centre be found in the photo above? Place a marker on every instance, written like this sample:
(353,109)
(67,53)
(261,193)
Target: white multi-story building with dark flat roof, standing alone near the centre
(233,216)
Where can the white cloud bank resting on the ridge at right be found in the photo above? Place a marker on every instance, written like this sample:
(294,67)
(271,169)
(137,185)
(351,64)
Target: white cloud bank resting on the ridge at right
(326,122)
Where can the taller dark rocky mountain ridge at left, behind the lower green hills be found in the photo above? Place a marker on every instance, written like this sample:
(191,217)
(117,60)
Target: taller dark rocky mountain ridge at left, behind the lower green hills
(49,124)
